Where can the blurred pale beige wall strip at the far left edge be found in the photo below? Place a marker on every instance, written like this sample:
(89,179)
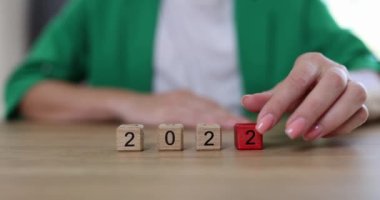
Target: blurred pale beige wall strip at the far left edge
(12,38)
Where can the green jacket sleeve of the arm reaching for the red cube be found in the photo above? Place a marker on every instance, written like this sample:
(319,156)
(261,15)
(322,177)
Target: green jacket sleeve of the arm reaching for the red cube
(324,35)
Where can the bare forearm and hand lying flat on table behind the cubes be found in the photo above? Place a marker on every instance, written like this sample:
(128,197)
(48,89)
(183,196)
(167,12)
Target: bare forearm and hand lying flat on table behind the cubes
(57,101)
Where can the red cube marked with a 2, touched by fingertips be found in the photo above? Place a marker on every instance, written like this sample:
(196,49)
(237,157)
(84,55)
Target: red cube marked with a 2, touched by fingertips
(247,137)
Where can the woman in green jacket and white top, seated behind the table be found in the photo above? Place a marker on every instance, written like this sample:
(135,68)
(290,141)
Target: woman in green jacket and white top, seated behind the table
(151,61)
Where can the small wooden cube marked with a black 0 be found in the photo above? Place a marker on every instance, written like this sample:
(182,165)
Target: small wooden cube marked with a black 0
(170,137)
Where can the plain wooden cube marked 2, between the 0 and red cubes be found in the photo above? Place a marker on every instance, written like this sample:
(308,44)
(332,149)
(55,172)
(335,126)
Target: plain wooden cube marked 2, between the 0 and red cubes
(208,137)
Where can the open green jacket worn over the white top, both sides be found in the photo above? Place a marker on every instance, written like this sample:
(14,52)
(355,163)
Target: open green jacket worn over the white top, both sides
(110,44)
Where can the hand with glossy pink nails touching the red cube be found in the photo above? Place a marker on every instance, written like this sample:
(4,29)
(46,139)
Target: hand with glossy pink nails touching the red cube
(320,96)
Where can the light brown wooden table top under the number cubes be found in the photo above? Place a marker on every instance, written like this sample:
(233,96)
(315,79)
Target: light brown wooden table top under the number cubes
(40,161)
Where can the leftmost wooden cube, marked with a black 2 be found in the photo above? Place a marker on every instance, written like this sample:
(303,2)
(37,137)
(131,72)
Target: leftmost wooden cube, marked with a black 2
(130,137)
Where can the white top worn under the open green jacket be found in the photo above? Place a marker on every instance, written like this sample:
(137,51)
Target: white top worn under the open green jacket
(196,50)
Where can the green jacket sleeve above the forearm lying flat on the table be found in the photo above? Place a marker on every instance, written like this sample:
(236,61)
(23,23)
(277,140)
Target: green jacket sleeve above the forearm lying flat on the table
(58,54)
